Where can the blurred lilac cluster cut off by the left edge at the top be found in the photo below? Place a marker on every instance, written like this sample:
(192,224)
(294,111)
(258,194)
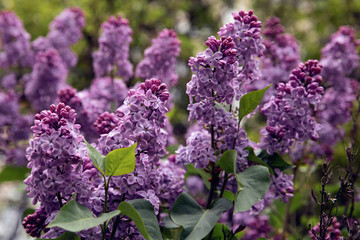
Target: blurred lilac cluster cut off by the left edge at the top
(15,47)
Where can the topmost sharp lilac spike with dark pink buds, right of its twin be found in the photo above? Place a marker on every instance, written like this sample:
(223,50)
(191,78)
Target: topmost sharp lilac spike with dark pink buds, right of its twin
(246,34)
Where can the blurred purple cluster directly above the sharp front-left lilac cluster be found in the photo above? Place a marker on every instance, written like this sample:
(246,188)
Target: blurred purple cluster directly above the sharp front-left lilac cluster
(46,79)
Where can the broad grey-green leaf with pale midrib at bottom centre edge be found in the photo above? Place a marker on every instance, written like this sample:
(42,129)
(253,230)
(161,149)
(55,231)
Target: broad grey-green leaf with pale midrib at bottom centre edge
(197,221)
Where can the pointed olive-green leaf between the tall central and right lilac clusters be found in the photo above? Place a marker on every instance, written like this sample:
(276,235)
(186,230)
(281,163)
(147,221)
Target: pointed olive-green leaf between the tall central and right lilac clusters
(250,101)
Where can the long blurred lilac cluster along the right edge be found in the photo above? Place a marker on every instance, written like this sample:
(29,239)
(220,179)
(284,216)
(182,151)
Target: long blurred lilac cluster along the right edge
(339,59)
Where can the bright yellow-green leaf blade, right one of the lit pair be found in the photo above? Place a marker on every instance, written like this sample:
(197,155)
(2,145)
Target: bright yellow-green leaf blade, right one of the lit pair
(120,161)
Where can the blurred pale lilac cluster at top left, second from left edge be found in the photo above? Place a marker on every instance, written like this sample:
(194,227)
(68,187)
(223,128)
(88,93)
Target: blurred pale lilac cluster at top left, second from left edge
(65,30)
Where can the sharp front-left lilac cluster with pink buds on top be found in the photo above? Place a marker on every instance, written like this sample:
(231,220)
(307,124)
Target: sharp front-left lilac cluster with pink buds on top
(55,156)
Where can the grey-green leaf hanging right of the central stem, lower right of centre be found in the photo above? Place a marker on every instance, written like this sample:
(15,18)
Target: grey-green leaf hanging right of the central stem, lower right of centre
(253,183)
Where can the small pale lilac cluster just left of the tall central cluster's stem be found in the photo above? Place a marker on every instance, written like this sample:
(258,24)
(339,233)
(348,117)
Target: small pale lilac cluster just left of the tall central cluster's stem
(198,150)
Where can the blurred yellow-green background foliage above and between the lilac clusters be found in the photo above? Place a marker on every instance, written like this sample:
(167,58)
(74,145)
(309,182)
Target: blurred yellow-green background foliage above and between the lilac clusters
(311,22)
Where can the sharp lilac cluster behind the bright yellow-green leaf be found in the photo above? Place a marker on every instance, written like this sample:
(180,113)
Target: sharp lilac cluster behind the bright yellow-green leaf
(141,119)
